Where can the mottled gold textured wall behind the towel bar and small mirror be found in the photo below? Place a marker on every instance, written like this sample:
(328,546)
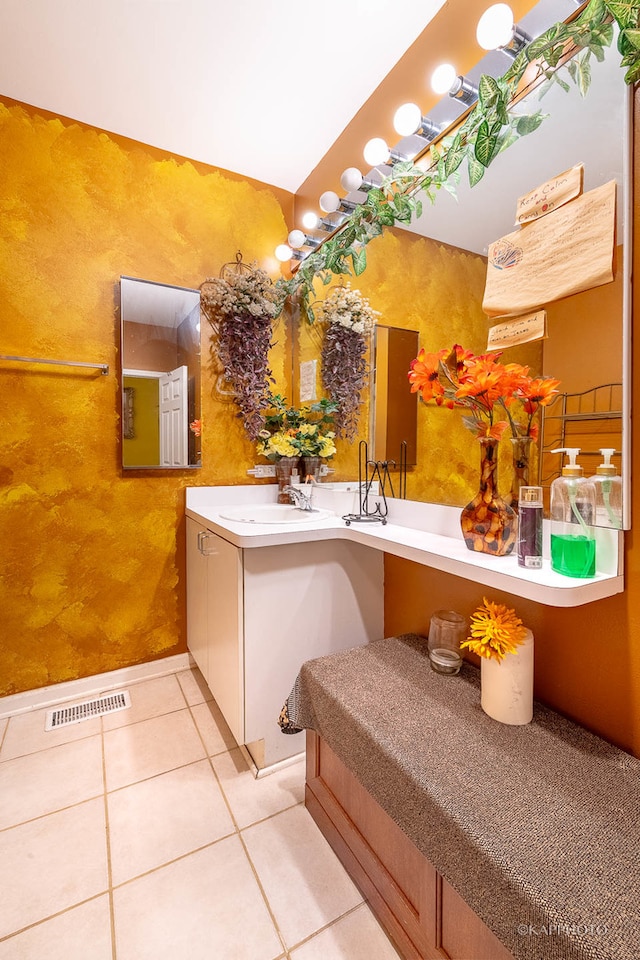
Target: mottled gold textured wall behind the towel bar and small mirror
(92,569)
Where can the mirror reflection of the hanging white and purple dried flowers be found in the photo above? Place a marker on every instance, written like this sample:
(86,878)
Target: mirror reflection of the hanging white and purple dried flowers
(349,321)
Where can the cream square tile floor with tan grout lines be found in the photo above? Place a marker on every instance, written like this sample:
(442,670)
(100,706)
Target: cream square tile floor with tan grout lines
(143,835)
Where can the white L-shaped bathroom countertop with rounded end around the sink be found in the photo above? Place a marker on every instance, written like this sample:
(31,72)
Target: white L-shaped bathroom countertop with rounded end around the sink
(428,534)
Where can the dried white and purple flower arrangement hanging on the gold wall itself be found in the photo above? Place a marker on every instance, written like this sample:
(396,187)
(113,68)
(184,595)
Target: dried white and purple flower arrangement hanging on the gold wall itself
(241,305)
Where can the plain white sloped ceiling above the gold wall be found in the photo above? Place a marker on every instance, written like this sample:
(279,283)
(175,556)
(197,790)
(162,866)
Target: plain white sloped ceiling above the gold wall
(259,88)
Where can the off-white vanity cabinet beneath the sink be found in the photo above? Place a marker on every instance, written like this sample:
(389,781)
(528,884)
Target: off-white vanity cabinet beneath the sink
(255,615)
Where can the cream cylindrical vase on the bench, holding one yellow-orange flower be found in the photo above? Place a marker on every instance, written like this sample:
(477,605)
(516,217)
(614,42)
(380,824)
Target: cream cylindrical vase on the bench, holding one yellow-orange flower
(507,685)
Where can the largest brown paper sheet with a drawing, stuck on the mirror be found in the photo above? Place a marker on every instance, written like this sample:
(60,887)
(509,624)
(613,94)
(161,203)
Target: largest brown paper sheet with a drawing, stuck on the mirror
(569,250)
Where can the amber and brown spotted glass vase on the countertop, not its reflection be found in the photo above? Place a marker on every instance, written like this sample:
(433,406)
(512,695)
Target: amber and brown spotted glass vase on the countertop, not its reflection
(489,525)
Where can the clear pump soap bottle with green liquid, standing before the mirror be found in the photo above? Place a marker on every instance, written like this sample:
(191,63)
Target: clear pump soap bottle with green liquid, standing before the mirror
(573,511)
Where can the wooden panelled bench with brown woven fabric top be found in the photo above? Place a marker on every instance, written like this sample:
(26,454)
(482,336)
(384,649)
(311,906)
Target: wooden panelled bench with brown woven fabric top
(471,839)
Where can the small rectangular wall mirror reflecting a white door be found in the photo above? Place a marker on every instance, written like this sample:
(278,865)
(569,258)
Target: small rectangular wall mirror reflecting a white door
(160,365)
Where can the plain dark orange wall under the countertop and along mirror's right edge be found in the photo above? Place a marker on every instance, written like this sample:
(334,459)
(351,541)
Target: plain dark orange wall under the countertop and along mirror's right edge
(587,659)
